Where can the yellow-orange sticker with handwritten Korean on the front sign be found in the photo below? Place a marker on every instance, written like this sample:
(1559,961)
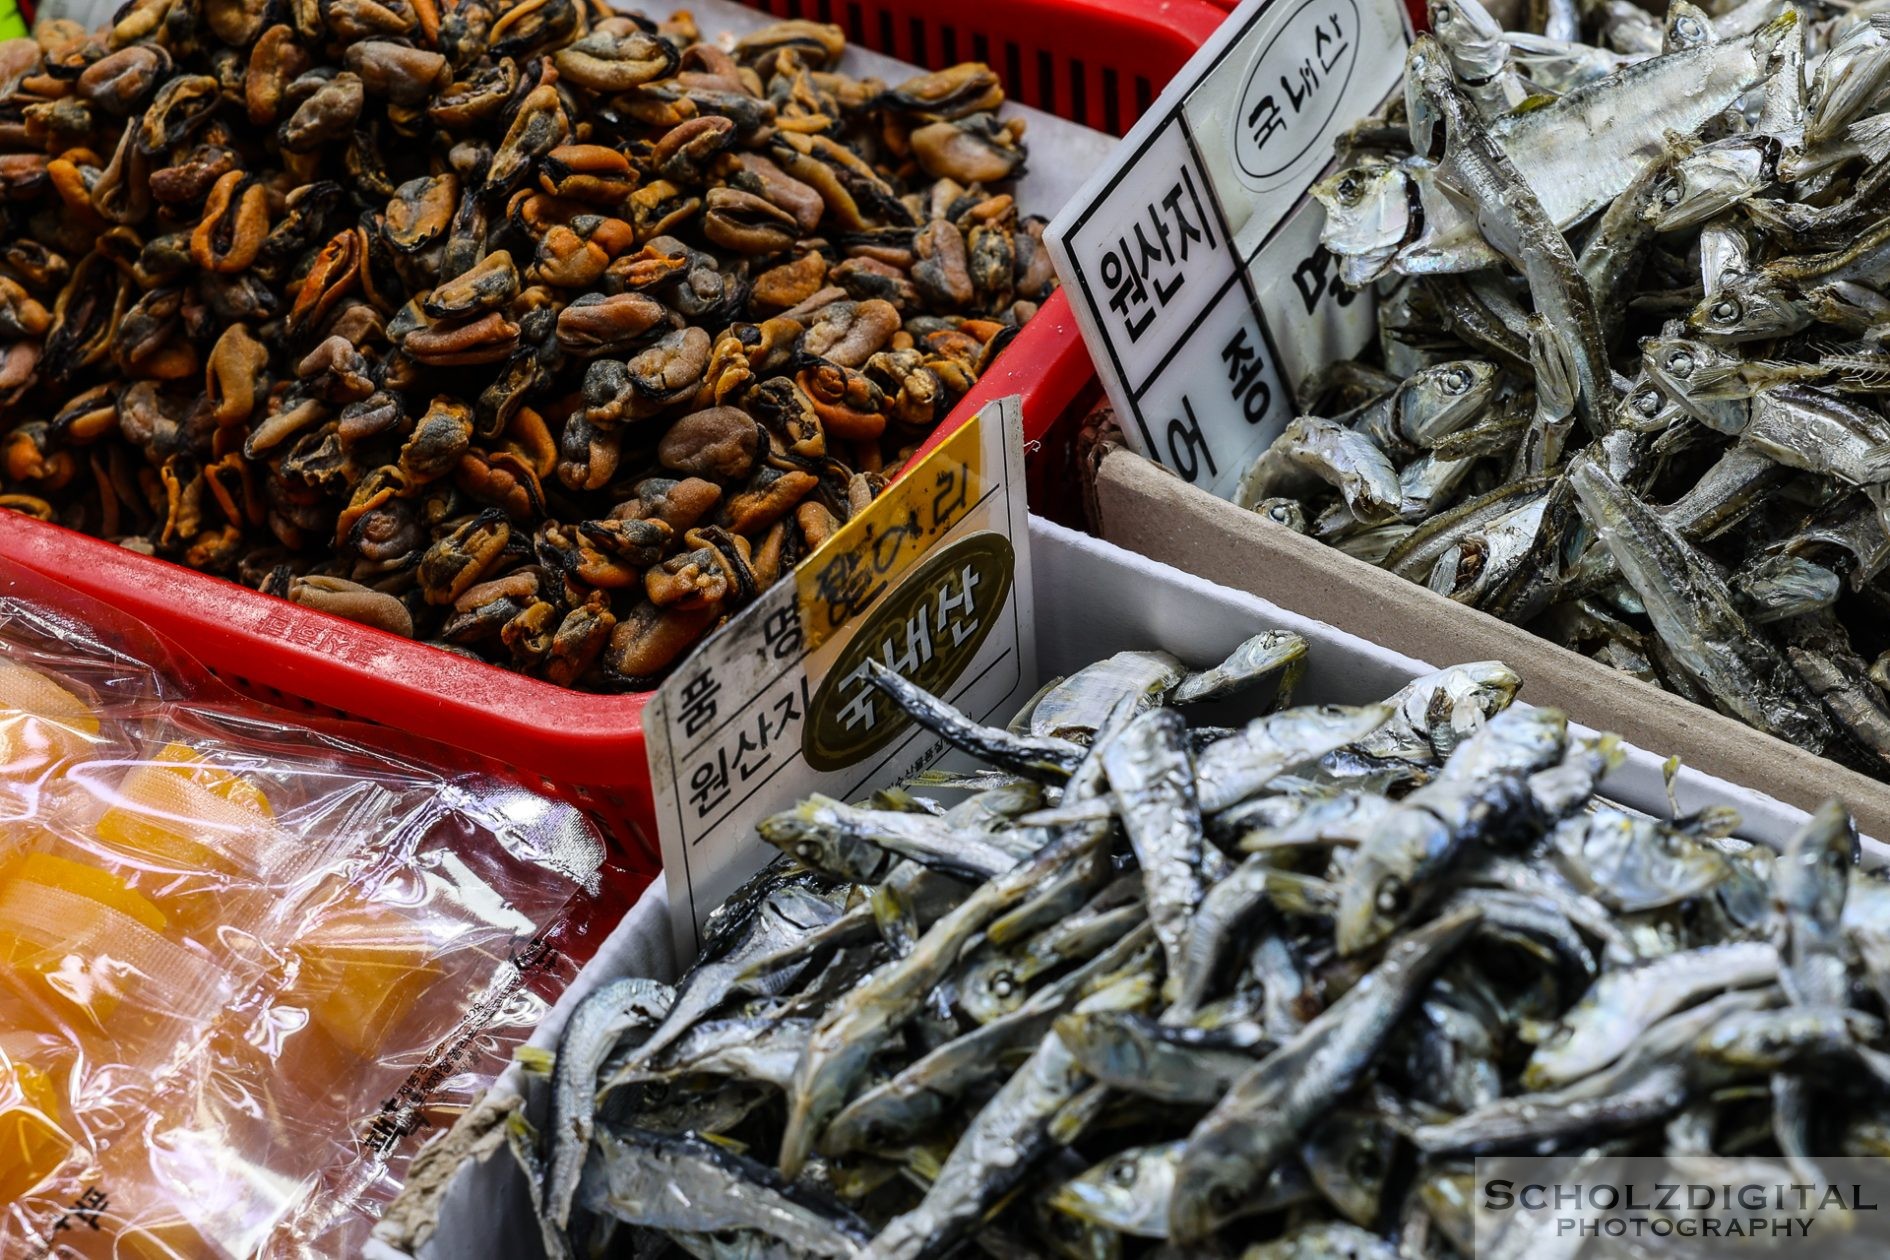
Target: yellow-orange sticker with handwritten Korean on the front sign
(868,554)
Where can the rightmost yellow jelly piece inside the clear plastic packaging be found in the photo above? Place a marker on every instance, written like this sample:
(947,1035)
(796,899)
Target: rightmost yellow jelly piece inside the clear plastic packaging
(362,972)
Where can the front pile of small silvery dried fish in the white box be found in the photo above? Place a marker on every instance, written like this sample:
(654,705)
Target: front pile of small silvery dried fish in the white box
(1273,985)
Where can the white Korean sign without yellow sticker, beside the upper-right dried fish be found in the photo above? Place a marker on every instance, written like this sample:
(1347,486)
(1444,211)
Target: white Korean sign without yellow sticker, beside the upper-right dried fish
(1194,258)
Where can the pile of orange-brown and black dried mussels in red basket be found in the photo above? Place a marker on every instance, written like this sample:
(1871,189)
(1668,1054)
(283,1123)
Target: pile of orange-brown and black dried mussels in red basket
(530,328)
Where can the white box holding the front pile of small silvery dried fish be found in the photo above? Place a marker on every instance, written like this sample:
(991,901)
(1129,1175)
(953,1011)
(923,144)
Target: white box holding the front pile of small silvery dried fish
(1091,600)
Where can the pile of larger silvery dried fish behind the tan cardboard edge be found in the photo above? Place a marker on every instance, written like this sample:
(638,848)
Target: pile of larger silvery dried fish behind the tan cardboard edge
(1634,373)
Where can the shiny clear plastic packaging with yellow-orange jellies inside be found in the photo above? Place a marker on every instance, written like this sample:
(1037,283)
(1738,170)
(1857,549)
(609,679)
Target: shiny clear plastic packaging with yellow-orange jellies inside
(245,959)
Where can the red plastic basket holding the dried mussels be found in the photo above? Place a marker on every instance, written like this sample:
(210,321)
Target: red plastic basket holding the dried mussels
(1090,61)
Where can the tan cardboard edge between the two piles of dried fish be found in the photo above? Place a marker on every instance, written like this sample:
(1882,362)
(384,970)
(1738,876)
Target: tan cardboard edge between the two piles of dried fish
(1146,509)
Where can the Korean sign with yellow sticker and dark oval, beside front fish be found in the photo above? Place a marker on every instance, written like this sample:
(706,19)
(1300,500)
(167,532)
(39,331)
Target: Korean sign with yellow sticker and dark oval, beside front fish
(933,581)
